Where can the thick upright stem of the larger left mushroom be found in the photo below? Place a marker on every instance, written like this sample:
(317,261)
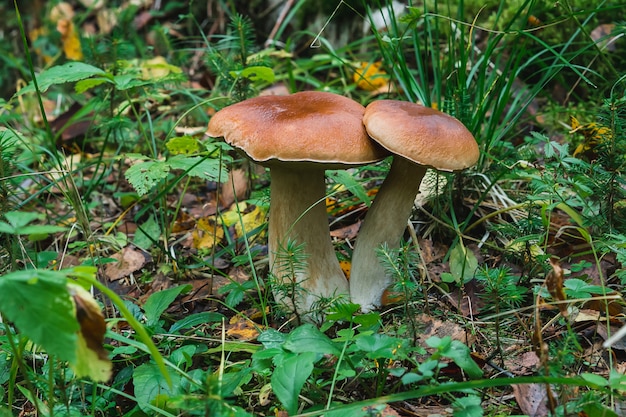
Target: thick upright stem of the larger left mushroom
(298,213)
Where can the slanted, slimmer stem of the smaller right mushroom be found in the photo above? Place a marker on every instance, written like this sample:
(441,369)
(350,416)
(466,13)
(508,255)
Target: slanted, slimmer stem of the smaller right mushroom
(385,222)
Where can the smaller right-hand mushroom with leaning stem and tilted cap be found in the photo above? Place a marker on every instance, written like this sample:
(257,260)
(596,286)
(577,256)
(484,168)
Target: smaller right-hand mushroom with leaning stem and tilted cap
(419,137)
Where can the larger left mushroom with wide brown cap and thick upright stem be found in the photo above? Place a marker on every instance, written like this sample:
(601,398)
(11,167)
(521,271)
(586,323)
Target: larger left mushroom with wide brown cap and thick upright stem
(298,137)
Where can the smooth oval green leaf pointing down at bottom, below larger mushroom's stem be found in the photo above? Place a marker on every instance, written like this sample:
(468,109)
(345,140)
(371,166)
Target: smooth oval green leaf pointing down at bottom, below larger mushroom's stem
(289,378)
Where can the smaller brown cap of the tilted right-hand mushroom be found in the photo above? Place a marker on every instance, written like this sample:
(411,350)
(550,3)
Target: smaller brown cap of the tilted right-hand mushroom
(421,134)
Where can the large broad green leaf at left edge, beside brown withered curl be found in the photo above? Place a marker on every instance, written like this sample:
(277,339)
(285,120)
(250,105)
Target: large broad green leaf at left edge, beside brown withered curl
(39,304)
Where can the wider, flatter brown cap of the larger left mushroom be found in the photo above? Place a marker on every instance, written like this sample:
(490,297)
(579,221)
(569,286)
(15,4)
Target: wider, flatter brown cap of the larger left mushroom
(314,127)
